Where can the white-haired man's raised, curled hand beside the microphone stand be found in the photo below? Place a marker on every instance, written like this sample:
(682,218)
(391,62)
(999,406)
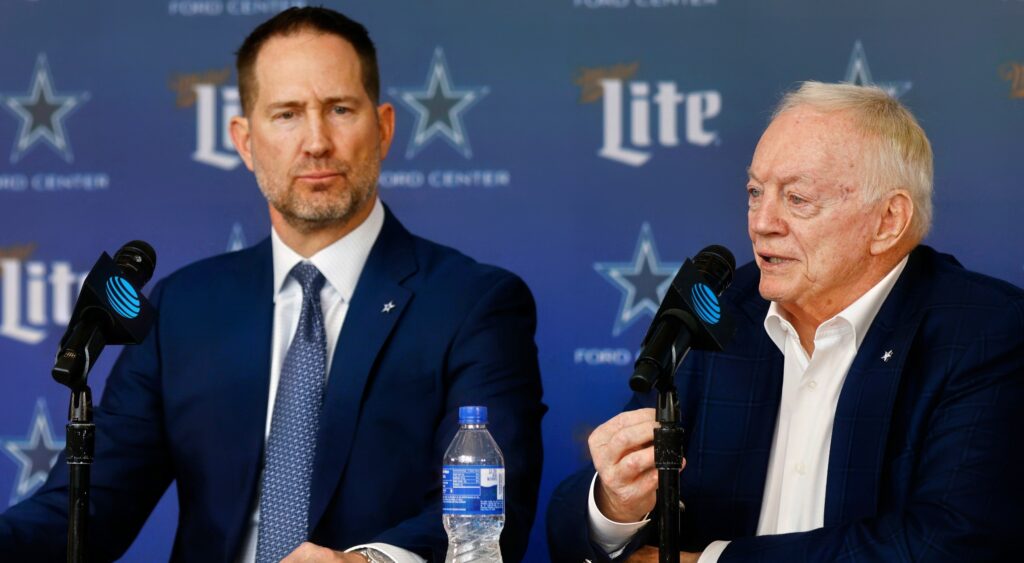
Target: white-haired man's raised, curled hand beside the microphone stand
(623,450)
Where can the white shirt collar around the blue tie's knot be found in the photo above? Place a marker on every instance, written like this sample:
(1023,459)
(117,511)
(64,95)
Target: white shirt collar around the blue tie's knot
(342,263)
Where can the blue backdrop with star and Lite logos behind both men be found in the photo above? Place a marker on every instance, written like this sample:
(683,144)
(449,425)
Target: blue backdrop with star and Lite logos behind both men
(589,146)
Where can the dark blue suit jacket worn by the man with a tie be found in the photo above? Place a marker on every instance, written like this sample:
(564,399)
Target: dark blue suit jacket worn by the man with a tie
(191,404)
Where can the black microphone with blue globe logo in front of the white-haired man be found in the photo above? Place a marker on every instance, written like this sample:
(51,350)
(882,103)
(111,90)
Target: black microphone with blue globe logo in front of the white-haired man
(691,318)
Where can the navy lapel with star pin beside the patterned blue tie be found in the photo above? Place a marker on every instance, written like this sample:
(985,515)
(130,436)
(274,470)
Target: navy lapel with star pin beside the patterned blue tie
(377,306)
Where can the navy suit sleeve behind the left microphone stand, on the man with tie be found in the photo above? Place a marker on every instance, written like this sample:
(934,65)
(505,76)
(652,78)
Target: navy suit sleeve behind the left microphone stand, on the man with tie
(131,473)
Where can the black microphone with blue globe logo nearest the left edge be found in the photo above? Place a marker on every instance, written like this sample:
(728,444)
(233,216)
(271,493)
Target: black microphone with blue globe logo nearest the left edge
(111,310)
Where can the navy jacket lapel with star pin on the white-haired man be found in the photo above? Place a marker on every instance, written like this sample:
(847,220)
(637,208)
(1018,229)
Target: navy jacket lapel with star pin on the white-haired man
(861,430)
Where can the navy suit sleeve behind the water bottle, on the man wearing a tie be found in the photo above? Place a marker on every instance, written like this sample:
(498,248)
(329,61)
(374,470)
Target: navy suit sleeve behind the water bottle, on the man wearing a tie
(492,362)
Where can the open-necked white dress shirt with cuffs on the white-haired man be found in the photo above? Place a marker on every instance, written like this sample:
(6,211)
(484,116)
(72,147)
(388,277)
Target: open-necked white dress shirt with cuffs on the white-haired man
(798,470)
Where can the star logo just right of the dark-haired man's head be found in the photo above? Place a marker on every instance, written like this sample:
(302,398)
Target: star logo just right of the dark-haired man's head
(440,108)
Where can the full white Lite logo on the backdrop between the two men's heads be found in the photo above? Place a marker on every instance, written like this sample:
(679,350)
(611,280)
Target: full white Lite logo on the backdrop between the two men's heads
(639,116)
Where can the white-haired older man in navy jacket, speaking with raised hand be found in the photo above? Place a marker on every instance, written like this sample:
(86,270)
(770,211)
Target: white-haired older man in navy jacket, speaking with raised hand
(866,410)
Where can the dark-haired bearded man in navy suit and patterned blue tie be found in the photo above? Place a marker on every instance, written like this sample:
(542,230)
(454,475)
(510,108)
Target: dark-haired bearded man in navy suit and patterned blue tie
(379,334)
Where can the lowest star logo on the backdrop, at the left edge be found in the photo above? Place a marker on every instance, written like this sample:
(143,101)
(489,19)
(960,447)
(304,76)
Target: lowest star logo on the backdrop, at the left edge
(35,455)
